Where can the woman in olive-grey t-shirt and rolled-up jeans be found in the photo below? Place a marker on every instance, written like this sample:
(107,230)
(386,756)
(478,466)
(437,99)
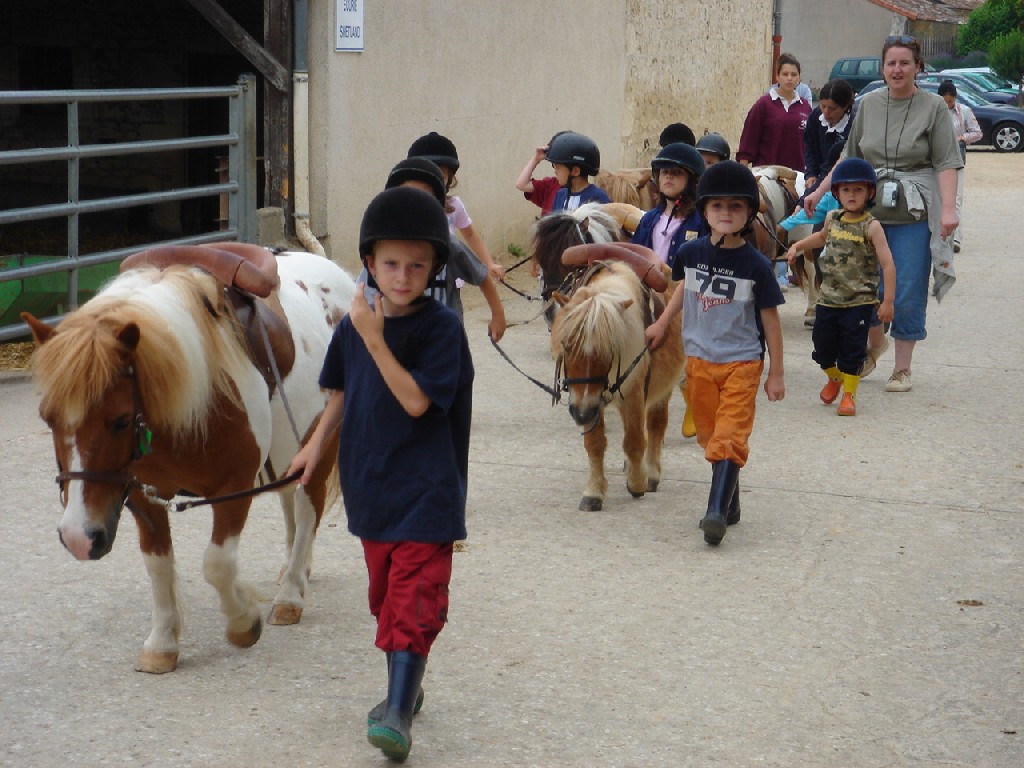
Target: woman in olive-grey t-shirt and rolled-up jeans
(906,134)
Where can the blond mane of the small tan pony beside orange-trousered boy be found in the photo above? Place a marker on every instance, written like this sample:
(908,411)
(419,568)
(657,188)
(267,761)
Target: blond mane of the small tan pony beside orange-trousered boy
(593,323)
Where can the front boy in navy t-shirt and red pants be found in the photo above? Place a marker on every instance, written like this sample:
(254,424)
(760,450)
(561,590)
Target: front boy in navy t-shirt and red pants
(401,378)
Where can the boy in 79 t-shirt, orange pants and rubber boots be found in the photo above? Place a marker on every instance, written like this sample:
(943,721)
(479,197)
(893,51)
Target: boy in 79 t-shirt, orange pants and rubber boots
(730,300)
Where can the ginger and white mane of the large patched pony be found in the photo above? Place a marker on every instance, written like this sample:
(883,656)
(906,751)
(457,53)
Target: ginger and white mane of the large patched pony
(186,358)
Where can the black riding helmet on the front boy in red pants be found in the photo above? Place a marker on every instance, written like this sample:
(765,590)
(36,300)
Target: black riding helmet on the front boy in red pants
(406,214)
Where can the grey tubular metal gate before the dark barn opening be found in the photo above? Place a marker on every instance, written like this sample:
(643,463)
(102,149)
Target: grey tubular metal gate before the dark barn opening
(240,186)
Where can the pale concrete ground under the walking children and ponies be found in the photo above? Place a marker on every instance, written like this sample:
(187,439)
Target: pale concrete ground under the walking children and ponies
(868,611)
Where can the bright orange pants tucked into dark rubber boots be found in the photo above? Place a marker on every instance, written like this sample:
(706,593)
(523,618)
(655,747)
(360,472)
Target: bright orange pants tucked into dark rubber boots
(723,398)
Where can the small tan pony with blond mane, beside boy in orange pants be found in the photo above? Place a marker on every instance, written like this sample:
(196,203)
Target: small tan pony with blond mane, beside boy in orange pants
(599,343)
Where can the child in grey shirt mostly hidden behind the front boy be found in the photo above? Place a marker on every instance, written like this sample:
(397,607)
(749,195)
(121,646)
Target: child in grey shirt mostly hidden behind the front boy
(462,264)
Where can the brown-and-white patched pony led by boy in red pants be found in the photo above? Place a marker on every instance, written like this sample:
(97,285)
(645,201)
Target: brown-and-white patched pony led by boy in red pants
(151,391)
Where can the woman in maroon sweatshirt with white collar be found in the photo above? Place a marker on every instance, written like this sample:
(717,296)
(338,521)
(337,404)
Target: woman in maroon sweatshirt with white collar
(774,132)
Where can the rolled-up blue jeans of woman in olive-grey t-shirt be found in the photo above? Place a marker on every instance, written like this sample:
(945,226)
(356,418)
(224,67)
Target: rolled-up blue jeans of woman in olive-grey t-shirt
(910,245)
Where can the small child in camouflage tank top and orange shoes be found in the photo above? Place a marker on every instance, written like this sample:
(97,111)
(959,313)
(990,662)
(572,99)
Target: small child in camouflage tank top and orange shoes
(856,247)
